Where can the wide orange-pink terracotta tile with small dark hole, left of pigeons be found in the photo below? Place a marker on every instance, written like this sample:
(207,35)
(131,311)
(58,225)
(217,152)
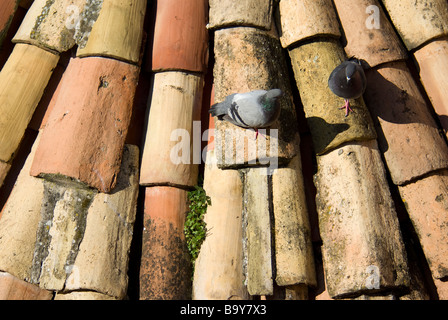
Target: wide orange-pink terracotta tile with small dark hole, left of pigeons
(88,123)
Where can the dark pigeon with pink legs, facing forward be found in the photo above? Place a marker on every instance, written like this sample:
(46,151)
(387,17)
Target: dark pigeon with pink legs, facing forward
(348,81)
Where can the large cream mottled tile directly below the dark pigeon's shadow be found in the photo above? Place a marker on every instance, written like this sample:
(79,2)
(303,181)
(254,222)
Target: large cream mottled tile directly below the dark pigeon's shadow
(363,251)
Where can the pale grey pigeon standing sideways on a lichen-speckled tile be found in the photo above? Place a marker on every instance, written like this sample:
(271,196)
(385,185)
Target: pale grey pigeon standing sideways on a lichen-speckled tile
(256,109)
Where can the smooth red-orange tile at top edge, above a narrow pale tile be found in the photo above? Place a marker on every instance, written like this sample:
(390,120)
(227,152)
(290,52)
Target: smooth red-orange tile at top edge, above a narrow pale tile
(180,36)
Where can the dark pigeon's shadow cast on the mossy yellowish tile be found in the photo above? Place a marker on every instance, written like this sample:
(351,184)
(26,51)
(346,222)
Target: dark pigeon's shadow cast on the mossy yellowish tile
(323,133)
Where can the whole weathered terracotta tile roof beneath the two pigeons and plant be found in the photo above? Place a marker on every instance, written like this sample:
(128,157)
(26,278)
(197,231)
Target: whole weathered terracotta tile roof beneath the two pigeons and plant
(104,129)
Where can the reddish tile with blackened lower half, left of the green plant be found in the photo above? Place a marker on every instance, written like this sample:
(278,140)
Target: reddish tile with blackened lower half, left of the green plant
(165,270)
